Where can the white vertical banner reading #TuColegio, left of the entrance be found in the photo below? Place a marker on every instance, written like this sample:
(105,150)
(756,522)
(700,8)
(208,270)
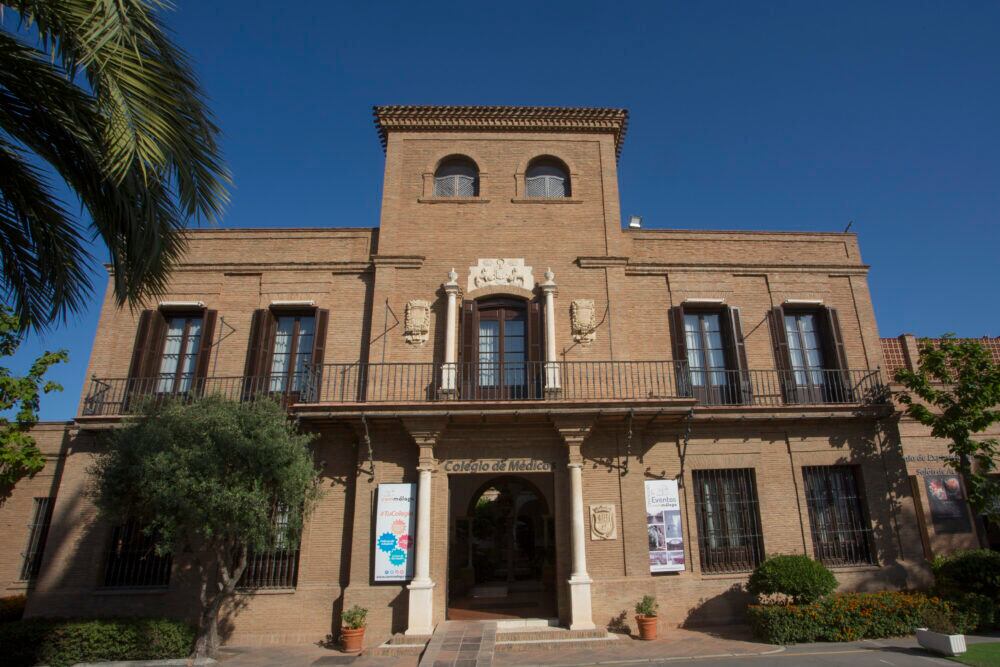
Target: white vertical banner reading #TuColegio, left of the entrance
(395,529)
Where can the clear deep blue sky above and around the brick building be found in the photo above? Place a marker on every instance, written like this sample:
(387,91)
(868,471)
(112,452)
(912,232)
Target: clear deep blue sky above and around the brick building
(782,115)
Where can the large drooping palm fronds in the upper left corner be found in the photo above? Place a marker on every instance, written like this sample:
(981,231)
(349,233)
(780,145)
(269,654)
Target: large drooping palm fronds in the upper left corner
(93,92)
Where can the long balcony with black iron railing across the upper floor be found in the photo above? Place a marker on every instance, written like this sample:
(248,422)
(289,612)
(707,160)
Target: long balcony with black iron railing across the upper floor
(565,382)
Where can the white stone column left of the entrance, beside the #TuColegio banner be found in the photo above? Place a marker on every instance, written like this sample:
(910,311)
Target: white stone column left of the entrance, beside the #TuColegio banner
(420,620)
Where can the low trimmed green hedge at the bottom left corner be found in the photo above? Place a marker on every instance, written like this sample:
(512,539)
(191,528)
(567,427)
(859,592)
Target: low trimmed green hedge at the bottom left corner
(60,643)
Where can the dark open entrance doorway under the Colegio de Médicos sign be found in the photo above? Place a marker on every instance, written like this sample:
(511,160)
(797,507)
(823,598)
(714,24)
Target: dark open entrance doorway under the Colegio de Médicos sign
(502,553)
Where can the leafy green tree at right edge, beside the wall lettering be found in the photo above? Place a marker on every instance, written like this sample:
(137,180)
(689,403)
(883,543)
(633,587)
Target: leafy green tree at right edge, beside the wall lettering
(955,392)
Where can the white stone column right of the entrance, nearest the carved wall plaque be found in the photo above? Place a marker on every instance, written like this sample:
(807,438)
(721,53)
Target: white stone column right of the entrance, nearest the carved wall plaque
(581,613)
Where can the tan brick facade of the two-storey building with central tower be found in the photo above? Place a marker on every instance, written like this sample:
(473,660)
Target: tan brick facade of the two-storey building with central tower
(365,277)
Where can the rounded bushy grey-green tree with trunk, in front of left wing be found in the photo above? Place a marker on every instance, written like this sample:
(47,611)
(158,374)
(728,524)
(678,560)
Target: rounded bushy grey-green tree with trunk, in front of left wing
(211,475)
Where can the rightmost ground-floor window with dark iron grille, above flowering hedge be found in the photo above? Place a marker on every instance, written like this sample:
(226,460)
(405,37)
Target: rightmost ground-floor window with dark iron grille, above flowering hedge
(841,532)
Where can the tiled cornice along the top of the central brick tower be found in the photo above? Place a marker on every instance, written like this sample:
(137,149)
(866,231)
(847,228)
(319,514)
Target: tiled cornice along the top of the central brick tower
(405,118)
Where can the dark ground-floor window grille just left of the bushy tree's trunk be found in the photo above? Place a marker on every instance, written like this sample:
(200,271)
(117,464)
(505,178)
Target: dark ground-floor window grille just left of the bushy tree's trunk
(132,559)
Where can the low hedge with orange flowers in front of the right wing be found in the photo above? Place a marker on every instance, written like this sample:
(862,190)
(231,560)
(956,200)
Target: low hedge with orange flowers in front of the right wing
(844,617)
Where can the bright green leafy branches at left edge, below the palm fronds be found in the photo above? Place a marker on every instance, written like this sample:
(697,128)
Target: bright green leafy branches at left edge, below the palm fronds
(20,396)
